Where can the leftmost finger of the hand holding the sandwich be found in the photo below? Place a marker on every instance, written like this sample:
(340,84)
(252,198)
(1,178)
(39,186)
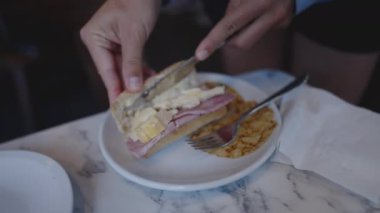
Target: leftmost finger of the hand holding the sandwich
(106,66)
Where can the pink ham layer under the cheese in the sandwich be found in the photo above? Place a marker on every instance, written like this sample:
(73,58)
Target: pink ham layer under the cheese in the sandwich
(139,149)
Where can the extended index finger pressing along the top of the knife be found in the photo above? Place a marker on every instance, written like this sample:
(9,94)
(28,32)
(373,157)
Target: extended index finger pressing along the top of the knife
(226,27)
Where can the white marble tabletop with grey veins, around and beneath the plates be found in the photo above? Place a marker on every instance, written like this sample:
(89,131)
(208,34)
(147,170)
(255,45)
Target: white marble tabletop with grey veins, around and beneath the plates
(97,188)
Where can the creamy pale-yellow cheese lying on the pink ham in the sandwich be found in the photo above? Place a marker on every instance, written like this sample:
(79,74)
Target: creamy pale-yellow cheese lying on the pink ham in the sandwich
(150,121)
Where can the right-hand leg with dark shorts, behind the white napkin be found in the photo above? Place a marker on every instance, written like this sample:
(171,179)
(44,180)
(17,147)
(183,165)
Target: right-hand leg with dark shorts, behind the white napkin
(338,44)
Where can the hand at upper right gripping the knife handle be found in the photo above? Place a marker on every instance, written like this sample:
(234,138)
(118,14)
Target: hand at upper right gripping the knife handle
(244,23)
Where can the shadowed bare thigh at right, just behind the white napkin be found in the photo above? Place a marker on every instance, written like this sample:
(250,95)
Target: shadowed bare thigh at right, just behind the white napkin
(345,74)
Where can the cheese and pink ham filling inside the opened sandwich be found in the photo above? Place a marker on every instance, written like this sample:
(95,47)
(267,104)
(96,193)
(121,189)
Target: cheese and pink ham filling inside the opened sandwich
(183,103)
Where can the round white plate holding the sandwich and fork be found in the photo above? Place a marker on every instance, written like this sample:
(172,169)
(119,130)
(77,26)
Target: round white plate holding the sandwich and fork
(179,167)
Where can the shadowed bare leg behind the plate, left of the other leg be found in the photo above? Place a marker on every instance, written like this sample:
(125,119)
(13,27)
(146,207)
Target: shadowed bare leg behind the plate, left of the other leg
(267,53)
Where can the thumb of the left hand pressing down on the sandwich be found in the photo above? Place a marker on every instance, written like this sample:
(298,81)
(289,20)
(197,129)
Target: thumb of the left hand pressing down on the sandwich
(132,43)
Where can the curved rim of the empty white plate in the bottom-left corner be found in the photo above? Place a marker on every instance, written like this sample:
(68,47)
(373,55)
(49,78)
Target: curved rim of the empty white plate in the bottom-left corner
(38,157)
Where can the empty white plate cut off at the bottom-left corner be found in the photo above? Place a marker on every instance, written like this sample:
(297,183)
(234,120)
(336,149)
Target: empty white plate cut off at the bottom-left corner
(33,183)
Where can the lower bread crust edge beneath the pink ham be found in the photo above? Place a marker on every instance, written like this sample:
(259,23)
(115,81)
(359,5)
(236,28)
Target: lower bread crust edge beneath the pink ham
(186,129)
